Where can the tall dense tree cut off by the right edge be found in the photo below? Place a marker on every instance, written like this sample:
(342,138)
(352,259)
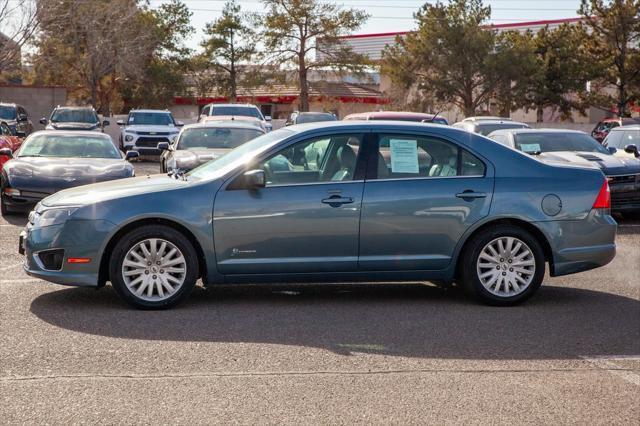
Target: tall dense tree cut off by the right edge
(613,45)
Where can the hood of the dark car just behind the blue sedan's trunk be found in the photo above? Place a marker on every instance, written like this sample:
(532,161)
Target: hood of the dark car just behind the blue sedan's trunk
(609,164)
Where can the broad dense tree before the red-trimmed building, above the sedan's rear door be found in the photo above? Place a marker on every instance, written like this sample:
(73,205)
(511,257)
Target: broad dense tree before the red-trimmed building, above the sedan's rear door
(450,57)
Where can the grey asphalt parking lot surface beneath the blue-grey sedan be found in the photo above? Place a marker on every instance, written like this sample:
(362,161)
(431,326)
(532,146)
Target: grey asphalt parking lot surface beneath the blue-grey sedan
(383,354)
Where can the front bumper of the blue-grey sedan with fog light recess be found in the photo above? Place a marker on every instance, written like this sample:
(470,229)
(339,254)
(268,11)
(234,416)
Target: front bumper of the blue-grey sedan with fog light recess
(78,238)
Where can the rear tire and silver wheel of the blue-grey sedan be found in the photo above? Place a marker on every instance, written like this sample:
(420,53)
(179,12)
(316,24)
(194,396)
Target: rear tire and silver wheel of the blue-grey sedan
(518,271)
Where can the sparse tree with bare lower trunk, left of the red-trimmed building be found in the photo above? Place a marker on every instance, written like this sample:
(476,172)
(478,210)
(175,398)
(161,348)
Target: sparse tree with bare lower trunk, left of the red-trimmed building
(295,29)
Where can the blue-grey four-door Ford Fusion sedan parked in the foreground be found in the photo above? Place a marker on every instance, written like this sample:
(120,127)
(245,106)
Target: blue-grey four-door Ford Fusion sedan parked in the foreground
(338,202)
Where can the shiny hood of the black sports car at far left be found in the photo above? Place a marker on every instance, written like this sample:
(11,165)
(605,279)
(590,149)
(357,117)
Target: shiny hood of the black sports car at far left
(49,175)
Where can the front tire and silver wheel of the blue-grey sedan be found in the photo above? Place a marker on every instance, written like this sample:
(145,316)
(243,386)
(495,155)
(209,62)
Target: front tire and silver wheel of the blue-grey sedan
(146,285)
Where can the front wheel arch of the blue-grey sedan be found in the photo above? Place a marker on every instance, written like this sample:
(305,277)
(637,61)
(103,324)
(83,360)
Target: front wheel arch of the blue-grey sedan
(103,275)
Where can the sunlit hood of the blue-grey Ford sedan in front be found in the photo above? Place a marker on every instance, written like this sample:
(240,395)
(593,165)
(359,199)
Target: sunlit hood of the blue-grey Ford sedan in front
(90,194)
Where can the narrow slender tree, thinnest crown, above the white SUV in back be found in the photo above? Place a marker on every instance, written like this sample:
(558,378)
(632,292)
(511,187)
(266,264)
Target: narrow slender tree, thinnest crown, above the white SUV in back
(230,42)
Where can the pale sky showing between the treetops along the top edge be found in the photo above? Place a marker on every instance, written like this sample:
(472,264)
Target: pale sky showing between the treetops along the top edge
(394,15)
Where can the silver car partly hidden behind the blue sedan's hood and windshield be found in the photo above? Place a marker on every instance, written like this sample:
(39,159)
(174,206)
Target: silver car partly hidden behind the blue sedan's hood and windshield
(201,142)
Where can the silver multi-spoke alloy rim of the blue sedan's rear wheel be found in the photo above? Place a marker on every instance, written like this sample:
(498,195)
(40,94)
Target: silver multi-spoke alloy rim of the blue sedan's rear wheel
(506,266)
